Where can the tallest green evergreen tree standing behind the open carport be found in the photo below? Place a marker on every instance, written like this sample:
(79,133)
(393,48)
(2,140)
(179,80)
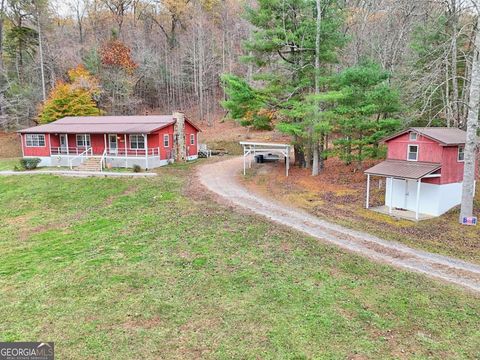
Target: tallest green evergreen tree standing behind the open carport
(283,48)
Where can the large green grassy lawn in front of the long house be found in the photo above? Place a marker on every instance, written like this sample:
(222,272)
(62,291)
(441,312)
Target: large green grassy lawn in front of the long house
(136,268)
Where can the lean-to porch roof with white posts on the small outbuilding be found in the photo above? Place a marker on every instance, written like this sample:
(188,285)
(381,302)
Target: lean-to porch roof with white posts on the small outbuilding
(404,170)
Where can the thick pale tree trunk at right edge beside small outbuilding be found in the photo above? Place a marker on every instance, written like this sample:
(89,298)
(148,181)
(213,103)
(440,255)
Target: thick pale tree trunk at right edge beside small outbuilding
(472,125)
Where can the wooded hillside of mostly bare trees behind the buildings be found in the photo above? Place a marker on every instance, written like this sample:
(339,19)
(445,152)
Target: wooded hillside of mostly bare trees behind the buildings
(164,55)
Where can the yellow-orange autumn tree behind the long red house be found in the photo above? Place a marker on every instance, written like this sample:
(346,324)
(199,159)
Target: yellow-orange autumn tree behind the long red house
(73,98)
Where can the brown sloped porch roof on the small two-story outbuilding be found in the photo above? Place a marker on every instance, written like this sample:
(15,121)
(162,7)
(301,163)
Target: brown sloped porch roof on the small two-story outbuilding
(403,169)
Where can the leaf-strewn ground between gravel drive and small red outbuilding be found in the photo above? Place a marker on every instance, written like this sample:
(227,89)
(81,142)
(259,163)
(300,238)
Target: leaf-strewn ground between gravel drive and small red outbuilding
(338,195)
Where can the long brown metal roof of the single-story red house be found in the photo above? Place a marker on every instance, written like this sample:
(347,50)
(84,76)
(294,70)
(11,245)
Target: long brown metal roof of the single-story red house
(104,125)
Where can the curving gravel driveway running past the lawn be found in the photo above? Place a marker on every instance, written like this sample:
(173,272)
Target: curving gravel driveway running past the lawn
(220,178)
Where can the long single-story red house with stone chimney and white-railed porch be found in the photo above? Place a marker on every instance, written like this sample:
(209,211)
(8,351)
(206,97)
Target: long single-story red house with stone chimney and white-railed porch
(92,142)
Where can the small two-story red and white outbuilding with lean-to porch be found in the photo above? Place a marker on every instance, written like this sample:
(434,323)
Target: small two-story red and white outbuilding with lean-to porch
(424,170)
